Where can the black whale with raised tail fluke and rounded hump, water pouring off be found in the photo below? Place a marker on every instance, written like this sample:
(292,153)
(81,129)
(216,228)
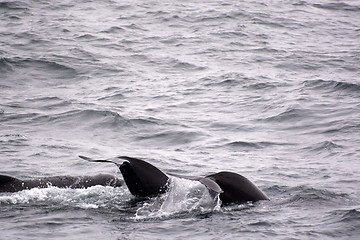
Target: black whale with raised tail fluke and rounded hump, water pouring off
(145,180)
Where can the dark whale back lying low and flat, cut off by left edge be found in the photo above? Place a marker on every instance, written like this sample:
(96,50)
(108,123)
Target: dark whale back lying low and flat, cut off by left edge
(11,184)
